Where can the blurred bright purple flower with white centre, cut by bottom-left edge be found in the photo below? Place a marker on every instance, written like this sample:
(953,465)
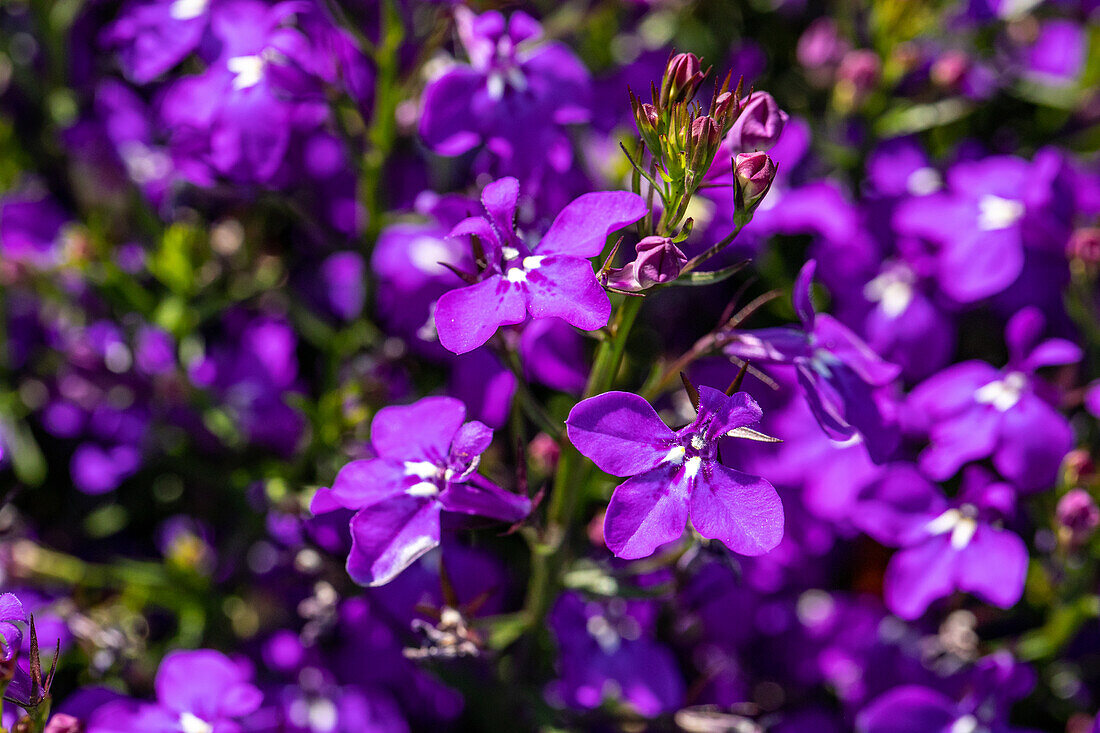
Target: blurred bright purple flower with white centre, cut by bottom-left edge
(200,692)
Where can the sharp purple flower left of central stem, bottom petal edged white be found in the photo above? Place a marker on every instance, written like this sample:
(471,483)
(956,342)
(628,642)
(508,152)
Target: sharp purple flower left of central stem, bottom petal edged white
(427,464)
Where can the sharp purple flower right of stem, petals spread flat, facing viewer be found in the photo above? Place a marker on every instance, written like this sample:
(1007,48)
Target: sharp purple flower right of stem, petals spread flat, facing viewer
(677,474)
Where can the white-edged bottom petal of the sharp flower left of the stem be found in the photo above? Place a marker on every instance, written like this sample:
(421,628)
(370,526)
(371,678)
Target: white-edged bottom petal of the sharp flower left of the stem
(390,537)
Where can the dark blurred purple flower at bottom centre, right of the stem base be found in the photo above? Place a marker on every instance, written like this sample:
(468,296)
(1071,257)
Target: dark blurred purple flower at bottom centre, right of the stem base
(611,651)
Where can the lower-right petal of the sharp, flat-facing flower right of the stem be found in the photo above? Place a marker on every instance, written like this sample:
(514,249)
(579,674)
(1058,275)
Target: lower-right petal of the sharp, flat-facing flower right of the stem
(742,511)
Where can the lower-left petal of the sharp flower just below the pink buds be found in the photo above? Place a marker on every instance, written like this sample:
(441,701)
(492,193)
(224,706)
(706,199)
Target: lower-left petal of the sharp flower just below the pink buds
(468,318)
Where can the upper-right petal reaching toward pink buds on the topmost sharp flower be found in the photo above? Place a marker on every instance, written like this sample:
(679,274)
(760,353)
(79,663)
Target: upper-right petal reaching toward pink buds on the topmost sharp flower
(581,229)
